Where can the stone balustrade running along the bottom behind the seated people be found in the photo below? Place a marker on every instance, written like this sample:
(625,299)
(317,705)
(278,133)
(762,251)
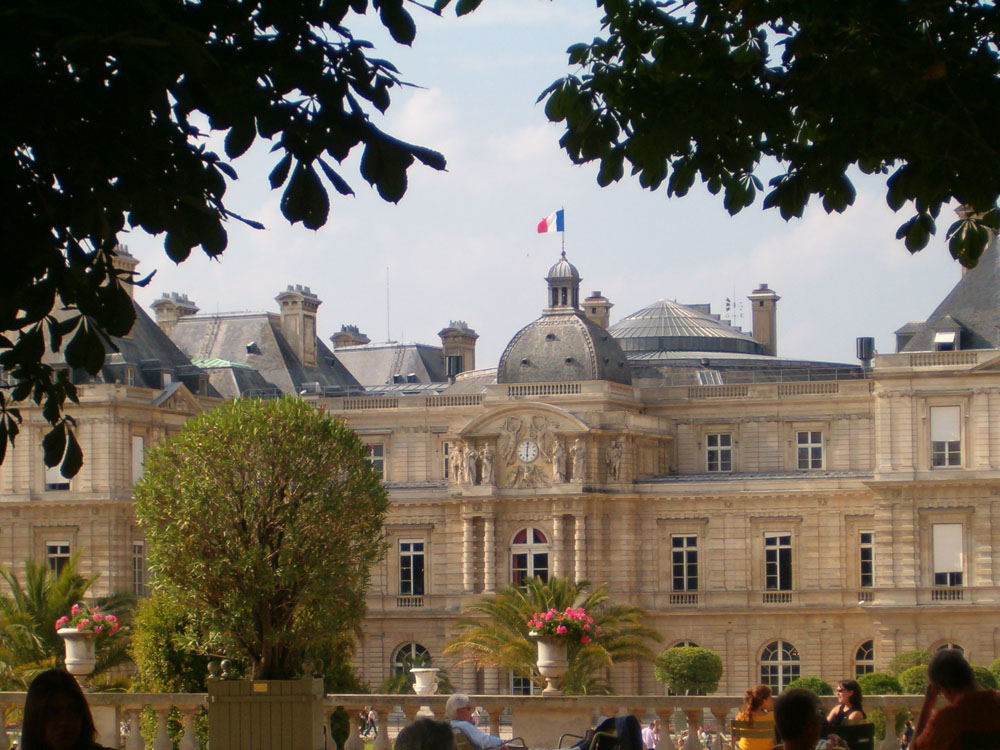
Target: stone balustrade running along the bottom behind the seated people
(540,721)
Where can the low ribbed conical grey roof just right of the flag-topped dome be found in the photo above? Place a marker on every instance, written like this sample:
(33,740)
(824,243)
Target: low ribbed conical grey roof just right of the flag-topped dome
(670,326)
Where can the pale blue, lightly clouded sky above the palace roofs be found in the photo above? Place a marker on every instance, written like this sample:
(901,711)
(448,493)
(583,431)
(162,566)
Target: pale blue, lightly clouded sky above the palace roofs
(462,244)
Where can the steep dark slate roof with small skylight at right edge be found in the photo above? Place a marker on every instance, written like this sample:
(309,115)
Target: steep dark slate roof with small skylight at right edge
(973,305)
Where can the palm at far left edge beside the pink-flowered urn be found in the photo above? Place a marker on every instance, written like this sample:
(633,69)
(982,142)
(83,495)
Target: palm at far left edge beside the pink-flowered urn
(29,643)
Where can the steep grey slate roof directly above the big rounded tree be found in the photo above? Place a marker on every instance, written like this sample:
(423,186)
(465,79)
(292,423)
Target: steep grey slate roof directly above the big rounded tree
(255,339)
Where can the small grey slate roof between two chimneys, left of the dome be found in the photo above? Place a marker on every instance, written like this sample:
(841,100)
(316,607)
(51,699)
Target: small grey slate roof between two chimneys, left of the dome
(388,363)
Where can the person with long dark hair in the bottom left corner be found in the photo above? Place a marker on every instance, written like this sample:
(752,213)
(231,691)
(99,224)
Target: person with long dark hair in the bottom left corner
(56,715)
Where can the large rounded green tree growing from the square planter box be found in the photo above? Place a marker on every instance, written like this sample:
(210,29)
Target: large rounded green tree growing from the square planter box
(263,518)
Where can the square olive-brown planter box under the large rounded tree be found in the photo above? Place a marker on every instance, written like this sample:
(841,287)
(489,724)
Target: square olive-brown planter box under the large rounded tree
(265,714)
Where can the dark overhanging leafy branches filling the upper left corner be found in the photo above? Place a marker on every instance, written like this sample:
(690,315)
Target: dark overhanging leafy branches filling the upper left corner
(107,110)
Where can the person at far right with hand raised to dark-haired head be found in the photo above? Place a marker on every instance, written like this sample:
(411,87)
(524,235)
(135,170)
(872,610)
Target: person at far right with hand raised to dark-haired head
(970,708)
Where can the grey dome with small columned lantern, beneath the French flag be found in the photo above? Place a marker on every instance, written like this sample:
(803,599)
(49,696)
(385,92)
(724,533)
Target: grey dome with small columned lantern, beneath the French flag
(562,345)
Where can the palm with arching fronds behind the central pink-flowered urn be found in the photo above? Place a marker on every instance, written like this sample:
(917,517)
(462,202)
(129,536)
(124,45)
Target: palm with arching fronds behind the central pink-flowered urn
(494,633)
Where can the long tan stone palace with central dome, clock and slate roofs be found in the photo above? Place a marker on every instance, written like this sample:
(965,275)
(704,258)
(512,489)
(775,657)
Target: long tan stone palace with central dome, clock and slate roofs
(797,517)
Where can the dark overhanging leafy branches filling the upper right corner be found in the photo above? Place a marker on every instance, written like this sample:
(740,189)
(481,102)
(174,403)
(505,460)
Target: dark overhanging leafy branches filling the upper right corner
(721,91)
